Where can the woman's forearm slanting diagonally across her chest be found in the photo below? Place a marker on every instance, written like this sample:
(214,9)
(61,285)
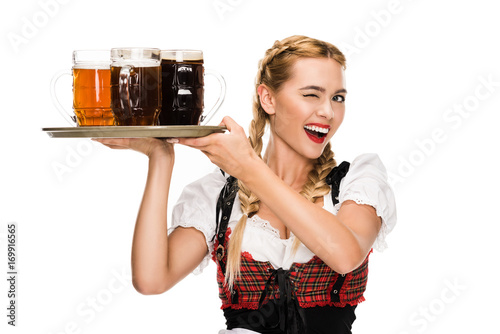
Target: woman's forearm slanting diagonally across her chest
(320,231)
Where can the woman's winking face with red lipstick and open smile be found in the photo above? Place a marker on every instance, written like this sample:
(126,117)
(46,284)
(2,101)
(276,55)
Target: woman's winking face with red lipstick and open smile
(309,108)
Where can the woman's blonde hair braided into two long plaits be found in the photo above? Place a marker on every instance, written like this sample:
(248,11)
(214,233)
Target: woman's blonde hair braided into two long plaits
(274,70)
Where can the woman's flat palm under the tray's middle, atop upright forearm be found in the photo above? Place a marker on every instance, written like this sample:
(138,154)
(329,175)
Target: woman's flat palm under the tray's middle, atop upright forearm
(147,146)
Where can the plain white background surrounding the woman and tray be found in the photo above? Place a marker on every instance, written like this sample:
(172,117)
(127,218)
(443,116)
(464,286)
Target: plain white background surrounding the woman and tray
(409,64)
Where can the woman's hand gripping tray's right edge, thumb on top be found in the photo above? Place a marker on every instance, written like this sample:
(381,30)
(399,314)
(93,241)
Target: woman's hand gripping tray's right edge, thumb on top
(230,151)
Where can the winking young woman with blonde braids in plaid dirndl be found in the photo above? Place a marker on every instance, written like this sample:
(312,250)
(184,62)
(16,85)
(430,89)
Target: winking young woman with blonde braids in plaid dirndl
(292,252)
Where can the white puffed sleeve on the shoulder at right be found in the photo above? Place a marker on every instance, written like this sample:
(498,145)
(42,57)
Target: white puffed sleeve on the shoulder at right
(367,183)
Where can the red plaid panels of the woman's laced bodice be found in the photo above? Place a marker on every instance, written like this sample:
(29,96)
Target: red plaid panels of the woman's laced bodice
(312,282)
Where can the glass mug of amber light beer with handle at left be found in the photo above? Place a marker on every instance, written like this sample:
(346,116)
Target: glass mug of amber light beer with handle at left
(91,89)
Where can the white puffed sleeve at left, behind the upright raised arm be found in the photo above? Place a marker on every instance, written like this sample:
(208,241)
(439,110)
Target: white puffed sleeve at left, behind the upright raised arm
(196,208)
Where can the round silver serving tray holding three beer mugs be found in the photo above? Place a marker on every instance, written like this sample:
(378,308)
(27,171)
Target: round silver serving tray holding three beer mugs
(169,131)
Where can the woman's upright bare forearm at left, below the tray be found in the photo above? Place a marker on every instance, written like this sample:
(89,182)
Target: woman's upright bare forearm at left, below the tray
(149,246)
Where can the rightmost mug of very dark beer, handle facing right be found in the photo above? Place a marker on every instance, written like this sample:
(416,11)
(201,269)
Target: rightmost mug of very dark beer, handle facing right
(183,88)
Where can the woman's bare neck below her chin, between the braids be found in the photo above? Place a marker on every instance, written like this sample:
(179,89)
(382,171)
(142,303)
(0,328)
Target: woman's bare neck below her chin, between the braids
(287,164)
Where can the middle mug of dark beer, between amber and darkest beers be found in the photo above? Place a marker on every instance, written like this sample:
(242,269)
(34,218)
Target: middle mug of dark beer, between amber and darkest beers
(135,86)
